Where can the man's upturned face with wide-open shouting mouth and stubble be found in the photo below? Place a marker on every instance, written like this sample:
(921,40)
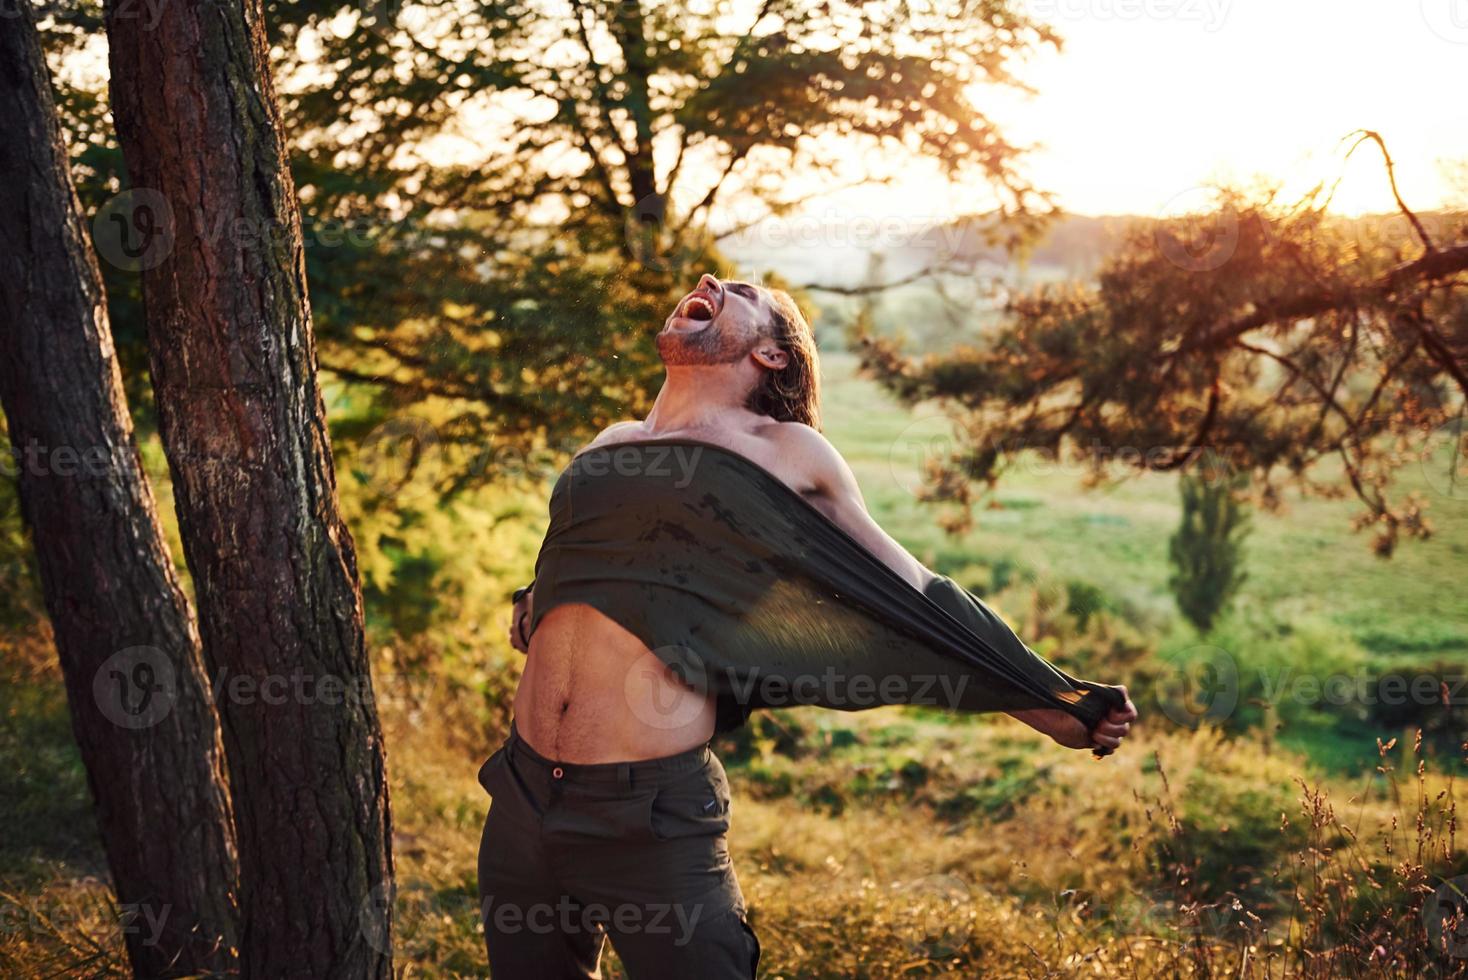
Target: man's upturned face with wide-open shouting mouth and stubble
(717,323)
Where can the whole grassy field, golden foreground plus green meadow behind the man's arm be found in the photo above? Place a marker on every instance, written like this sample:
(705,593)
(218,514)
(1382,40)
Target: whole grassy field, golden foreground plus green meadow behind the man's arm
(906,843)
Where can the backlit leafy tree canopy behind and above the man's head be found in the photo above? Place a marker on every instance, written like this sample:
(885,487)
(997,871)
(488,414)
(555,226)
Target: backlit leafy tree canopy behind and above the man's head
(510,285)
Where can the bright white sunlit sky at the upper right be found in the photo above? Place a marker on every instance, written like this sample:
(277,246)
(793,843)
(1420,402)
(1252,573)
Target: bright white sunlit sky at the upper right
(1152,99)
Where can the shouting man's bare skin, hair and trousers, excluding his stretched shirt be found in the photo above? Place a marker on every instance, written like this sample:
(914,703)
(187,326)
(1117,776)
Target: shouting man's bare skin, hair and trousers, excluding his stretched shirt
(610,815)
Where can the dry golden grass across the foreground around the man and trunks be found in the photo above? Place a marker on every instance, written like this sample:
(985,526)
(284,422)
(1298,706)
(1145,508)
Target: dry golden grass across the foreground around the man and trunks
(902,844)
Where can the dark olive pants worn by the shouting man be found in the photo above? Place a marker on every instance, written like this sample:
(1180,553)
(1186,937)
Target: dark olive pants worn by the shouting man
(631,852)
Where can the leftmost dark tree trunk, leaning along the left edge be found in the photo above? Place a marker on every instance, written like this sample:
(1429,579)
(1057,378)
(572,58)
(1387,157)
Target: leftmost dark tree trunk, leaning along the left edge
(124,630)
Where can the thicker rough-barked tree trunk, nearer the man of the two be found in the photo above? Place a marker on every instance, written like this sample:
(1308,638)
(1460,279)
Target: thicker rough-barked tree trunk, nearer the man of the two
(244,428)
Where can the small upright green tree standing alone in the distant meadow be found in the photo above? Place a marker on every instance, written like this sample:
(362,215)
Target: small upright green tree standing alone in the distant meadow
(1207,549)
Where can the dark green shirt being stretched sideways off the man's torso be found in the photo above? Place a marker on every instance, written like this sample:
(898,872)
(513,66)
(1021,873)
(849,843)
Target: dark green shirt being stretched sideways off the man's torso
(752,595)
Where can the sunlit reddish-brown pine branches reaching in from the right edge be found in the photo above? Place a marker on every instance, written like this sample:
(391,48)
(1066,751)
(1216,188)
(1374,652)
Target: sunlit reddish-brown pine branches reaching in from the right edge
(1318,353)
